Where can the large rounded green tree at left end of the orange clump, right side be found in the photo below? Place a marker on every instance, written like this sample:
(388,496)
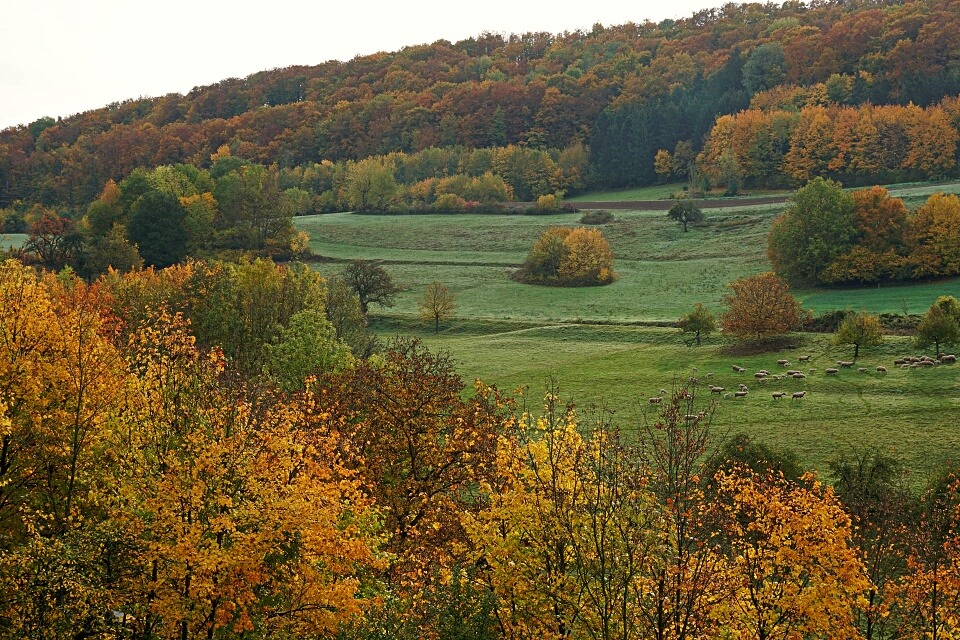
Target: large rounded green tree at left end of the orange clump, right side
(818,225)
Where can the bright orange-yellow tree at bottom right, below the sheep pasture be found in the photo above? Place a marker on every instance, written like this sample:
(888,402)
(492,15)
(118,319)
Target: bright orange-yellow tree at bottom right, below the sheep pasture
(793,572)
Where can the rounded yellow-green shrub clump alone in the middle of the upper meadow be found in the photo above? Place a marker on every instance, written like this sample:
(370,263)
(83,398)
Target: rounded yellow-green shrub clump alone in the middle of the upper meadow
(569,257)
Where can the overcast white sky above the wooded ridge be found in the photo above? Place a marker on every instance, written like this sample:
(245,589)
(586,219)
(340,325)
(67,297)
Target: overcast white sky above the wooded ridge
(60,57)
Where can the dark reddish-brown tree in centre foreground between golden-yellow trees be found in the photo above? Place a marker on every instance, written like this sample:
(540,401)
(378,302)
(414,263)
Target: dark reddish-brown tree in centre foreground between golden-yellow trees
(419,448)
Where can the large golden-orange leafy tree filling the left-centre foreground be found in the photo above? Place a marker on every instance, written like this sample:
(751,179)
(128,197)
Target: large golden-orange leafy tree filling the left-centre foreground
(242,522)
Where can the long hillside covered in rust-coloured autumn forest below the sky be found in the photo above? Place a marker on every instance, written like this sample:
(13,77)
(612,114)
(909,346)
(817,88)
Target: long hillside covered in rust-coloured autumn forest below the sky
(619,92)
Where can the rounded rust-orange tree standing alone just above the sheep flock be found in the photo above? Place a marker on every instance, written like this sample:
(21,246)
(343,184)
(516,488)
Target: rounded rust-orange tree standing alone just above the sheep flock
(760,306)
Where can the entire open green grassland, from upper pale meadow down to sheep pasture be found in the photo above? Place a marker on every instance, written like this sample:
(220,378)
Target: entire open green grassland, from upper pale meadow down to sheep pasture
(589,342)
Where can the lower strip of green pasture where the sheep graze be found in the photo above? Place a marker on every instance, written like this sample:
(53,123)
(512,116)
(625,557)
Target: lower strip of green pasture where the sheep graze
(908,413)
